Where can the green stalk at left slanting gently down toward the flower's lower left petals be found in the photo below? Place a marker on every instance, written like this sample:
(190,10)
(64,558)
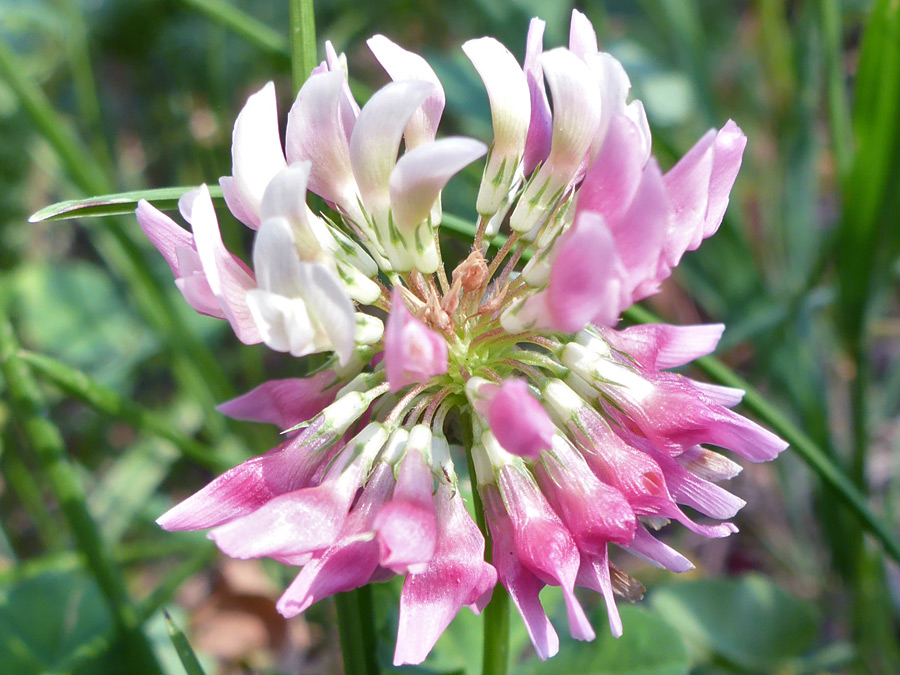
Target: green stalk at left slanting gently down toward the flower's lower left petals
(108,402)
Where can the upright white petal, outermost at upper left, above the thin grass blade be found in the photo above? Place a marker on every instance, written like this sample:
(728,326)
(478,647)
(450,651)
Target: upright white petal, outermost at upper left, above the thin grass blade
(256,149)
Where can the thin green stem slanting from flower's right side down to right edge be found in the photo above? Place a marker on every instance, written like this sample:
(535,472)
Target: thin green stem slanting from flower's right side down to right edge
(802,444)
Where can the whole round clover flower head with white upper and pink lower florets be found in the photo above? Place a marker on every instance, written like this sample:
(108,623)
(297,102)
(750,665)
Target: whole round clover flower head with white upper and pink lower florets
(576,436)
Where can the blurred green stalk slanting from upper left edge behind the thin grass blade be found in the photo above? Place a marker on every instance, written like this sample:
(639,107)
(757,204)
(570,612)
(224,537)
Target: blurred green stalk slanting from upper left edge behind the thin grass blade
(195,368)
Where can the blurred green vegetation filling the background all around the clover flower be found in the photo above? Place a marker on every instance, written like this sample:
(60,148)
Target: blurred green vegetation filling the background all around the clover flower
(109,381)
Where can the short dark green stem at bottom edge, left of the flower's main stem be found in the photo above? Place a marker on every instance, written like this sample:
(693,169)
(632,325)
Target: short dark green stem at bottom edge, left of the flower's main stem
(359,646)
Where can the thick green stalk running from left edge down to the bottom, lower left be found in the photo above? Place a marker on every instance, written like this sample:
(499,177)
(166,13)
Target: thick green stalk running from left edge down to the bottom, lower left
(49,448)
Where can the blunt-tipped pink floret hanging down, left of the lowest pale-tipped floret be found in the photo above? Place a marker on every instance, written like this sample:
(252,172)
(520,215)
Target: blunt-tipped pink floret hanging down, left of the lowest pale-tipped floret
(406,527)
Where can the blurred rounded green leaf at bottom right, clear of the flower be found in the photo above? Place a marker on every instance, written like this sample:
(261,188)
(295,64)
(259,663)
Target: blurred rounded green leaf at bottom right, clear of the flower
(750,621)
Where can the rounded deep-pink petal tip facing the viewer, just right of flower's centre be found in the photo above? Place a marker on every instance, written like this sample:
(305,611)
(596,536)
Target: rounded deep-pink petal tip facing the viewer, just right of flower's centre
(518,420)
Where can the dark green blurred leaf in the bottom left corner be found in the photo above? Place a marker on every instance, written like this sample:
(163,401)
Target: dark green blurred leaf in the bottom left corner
(45,619)
